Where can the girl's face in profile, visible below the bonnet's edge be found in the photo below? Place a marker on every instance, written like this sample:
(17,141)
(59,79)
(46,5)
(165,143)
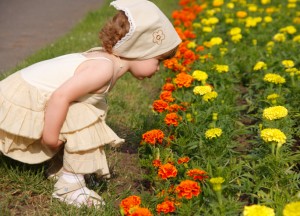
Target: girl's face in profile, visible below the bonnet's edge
(144,68)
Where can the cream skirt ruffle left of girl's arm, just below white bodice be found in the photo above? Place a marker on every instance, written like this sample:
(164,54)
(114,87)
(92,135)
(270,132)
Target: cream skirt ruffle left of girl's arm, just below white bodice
(22,107)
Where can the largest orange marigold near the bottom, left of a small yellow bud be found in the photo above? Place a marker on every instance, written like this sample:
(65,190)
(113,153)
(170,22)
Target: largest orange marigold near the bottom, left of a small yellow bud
(188,189)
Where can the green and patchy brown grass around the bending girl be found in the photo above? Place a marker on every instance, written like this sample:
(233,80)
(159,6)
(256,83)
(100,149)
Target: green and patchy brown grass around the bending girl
(23,188)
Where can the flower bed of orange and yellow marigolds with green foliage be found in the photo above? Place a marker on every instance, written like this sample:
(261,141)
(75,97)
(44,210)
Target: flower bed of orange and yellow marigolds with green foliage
(227,134)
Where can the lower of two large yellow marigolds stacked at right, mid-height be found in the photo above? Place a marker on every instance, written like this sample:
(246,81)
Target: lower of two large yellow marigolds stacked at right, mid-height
(273,135)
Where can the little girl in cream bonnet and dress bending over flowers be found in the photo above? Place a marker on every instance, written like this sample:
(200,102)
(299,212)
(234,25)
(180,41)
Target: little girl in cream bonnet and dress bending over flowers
(60,103)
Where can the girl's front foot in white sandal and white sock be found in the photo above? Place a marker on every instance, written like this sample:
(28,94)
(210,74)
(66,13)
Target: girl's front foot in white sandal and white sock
(64,191)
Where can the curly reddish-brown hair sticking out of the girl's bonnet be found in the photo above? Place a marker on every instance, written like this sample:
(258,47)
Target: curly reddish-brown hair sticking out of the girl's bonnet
(114,30)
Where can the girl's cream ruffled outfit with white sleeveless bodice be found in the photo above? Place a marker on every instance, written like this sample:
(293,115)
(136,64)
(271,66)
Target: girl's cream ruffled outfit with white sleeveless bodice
(23,98)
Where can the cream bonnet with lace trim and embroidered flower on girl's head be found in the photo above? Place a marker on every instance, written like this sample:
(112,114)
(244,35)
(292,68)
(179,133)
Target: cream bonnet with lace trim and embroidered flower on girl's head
(151,33)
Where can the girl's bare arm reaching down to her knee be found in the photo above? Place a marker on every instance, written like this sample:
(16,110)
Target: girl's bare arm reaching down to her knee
(90,76)
